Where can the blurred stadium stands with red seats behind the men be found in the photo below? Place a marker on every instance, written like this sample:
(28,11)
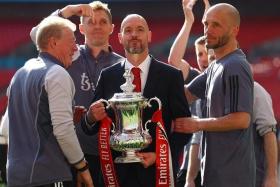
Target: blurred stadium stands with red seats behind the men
(259,35)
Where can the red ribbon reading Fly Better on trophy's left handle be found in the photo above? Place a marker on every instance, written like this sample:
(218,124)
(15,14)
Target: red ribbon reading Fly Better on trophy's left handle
(107,165)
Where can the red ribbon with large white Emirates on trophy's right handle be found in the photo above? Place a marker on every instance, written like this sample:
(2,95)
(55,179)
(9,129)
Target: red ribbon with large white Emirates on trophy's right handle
(164,171)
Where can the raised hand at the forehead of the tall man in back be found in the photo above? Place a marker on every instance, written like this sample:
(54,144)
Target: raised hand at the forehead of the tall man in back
(77,10)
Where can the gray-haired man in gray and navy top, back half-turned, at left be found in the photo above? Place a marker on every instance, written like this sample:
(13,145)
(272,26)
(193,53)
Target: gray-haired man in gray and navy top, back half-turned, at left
(40,98)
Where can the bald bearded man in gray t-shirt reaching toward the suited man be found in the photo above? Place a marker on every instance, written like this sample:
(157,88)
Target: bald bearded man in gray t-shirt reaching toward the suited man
(227,85)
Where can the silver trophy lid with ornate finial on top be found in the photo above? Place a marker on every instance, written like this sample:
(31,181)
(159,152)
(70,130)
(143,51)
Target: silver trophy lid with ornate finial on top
(128,95)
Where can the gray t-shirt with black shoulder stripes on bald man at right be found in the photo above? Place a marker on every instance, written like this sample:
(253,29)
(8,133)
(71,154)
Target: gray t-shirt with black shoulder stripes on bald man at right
(227,157)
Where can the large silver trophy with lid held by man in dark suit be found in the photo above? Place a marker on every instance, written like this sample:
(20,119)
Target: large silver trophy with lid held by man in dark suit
(128,134)
